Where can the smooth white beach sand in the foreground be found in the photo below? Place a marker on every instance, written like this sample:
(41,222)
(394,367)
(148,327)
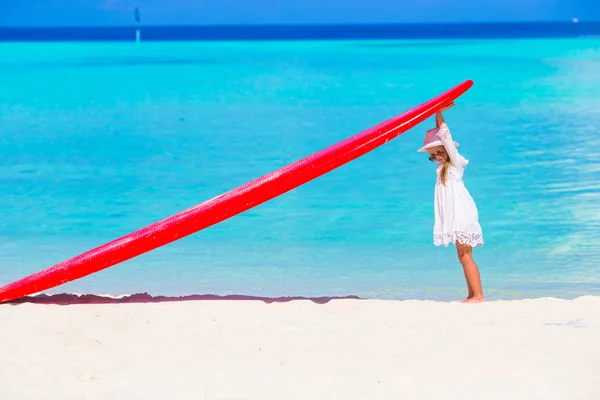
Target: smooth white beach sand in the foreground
(344,349)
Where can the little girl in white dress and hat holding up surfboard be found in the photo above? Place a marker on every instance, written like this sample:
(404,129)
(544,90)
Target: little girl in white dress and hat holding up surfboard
(456,216)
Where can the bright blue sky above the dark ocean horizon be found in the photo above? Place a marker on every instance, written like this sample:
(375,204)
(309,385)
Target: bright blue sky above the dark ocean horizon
(198,12)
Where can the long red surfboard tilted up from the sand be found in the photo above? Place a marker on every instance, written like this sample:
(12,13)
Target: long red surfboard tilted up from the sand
(228,204)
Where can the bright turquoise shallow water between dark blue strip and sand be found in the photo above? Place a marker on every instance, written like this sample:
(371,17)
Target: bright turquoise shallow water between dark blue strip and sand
(98,139)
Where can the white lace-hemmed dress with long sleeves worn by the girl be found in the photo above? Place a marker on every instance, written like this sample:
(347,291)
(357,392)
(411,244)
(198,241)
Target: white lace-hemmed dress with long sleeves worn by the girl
(456,216)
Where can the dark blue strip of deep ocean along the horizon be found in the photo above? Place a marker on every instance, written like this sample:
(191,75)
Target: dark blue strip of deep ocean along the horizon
(283,32)
